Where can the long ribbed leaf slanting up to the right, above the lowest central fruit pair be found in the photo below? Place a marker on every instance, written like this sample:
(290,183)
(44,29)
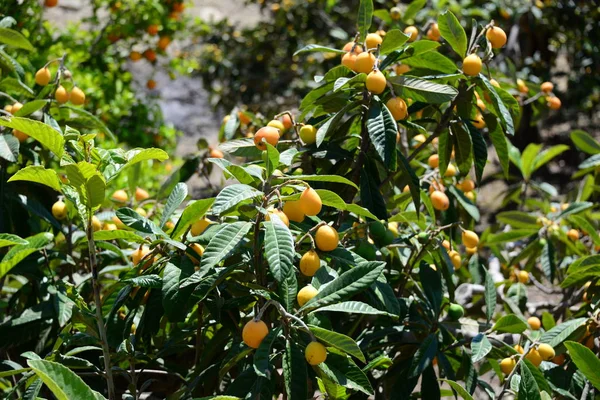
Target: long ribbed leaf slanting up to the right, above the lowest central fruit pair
(346,285)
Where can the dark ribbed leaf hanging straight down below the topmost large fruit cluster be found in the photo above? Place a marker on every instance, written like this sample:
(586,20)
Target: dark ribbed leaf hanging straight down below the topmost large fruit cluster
(383,130)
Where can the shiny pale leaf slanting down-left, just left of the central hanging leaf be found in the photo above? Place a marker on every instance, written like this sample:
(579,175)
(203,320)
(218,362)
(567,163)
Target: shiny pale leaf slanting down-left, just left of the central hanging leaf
(223,243)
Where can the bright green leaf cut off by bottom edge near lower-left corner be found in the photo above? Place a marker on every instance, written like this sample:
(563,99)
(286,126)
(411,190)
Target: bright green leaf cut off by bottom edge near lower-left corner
(63,382)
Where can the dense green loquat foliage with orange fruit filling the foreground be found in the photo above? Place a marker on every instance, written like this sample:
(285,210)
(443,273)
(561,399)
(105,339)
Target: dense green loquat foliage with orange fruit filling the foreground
(340,260)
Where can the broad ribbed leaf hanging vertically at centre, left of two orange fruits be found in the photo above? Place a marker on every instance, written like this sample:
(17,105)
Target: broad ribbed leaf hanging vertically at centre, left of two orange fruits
(279,248)
